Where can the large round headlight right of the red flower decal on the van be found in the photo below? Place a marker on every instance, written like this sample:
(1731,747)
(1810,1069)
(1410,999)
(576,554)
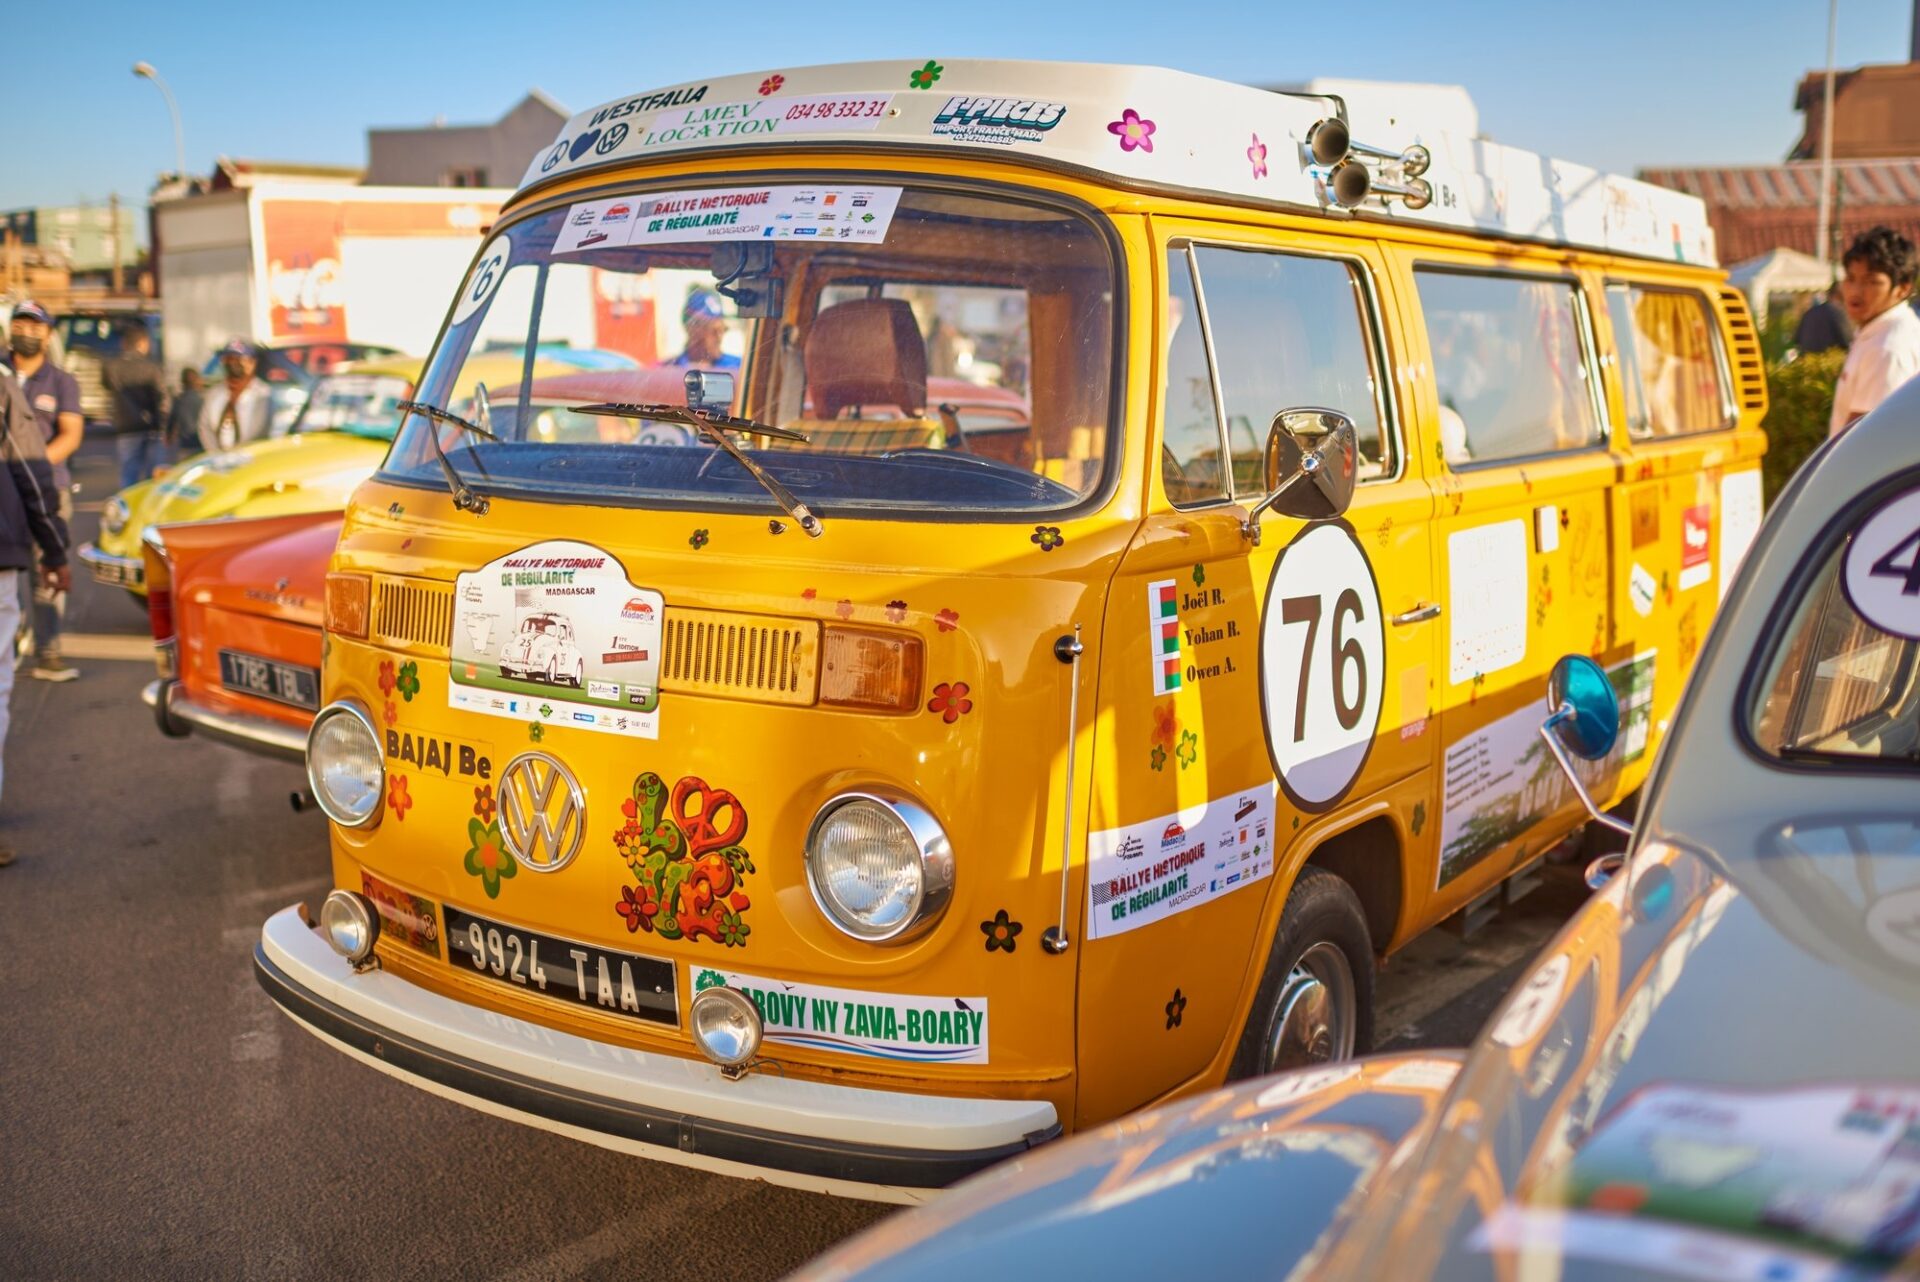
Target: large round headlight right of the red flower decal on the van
(878,867)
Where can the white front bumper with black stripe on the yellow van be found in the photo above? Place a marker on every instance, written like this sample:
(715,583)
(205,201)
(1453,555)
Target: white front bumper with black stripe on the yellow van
(850,1141)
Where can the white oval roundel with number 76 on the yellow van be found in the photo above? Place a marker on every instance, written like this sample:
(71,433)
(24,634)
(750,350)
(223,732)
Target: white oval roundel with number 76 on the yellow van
(1322,665)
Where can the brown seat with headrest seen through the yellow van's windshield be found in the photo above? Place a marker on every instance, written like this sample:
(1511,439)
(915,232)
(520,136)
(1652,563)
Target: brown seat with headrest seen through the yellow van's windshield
(867,383)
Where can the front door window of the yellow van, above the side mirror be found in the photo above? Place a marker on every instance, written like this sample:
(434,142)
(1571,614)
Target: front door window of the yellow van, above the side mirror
(1289,331)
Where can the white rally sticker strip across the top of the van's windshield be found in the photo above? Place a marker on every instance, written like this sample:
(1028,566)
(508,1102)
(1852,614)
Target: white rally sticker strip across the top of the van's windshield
(853,214)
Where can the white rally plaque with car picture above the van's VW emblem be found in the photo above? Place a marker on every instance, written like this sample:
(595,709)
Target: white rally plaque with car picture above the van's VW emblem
(558,634)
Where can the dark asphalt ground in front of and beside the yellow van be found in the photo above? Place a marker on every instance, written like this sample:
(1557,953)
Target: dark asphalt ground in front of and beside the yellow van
(162,1120)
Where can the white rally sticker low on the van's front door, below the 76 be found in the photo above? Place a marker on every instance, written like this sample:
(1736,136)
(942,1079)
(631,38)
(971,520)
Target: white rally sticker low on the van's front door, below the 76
(1145,872)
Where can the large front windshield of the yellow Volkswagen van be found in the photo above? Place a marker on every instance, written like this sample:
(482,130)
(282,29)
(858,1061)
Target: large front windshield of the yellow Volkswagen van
(940,350)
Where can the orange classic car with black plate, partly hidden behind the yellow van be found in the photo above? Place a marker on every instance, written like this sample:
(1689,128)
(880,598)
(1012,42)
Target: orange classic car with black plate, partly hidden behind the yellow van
(237,611)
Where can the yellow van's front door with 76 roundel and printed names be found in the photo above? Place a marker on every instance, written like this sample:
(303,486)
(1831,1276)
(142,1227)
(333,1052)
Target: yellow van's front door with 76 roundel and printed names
(1228,661)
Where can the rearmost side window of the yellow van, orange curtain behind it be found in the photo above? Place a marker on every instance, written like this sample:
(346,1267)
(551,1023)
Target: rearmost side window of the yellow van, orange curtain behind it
(1669,362)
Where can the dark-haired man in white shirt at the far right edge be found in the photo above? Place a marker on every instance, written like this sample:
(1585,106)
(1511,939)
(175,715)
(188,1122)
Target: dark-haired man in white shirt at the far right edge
(1886,343)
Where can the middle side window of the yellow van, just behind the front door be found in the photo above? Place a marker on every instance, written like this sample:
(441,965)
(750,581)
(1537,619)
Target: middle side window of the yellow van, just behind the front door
(1510,366)
